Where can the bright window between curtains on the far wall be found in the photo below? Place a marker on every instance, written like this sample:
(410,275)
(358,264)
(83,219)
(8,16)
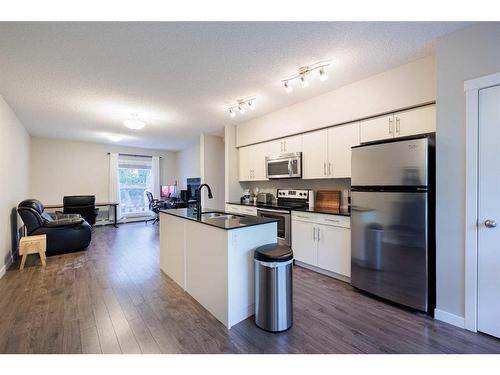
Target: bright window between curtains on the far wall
(135,178)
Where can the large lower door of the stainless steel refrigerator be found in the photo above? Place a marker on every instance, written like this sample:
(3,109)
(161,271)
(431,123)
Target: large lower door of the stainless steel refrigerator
(389,246)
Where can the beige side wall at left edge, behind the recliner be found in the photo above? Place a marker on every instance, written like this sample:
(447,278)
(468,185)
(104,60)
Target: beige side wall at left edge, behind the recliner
(14,167)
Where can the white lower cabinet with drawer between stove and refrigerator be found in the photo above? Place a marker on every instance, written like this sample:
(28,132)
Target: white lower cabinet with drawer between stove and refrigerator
(322,241)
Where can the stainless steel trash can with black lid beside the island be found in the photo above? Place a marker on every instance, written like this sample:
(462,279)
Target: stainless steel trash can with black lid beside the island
(273,287)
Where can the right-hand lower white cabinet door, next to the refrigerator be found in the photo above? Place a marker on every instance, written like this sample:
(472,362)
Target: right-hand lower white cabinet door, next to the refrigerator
(334,249)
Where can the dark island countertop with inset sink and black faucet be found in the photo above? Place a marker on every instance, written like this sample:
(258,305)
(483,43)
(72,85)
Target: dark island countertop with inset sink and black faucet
(238,221)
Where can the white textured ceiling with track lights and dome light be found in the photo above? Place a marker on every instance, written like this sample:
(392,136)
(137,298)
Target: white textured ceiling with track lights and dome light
(80,80)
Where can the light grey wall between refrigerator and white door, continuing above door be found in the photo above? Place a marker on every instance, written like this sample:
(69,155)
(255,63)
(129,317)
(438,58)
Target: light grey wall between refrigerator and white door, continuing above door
(463,55)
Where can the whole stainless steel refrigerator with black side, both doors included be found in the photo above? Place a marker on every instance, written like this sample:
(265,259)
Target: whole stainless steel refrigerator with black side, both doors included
(392,221)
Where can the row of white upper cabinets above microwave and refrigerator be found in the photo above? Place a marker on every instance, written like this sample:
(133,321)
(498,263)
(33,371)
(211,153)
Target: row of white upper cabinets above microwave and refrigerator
(326,153)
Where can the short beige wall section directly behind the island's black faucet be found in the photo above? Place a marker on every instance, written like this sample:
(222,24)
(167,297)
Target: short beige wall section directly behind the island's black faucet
(212,170)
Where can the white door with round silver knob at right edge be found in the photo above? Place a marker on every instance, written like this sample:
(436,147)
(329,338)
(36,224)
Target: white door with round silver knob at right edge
(489,212)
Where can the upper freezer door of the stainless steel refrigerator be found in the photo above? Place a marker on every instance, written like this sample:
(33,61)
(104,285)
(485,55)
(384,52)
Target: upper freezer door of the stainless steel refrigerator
(402,163)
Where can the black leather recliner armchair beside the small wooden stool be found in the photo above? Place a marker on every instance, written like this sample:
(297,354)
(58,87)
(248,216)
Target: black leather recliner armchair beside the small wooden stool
(65,233)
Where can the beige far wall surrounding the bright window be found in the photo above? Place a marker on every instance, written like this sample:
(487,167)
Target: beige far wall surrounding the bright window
(62,167)
